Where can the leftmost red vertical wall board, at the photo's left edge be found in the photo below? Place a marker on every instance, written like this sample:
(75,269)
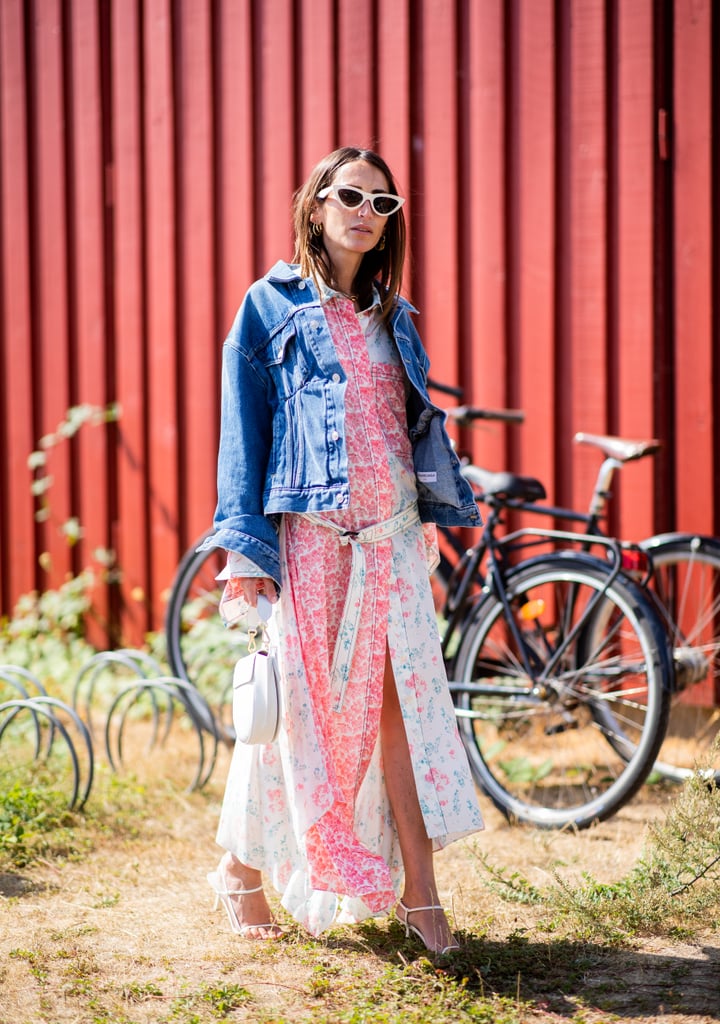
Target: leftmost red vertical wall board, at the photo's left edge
(18,554)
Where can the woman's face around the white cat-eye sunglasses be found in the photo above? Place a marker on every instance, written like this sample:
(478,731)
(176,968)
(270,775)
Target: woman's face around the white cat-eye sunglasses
(352,232)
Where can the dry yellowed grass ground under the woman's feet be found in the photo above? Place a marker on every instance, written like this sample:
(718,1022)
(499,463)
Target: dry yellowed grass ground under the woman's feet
(125,933)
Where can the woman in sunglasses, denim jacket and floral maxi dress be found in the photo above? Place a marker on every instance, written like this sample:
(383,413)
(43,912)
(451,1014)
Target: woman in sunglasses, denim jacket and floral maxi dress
(331,455)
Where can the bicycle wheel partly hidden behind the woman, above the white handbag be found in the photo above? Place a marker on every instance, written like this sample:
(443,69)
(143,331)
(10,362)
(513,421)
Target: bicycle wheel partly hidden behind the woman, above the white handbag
(200,649)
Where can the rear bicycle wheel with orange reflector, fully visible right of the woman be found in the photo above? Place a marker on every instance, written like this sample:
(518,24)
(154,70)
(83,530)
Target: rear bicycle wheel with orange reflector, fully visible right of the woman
(564,709)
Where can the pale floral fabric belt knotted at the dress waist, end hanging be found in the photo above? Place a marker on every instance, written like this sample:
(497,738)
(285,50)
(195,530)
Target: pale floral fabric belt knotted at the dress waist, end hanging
(348,634)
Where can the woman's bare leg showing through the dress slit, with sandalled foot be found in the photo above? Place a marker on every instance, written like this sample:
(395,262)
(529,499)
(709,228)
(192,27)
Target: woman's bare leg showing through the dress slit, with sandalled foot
(420,885)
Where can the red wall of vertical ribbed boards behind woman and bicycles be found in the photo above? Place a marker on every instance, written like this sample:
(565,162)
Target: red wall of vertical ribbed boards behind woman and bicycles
(563,172)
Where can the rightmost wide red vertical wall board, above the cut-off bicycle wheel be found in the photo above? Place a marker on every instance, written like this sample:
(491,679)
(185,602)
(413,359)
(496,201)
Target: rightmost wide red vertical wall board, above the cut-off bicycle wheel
(694,356)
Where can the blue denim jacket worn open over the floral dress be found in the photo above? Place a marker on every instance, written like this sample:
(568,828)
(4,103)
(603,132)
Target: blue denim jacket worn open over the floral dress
(283,420)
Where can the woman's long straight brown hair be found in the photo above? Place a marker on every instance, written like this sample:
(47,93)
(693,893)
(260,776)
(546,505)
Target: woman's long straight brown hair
(382,267)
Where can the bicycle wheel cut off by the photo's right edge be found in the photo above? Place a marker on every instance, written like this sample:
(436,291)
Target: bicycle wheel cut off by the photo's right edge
(687,581)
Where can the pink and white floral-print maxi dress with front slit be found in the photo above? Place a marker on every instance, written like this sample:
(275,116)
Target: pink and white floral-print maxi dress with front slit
(312,809)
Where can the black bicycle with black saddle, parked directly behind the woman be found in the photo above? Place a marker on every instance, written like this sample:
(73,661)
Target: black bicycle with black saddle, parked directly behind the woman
(588,651)
